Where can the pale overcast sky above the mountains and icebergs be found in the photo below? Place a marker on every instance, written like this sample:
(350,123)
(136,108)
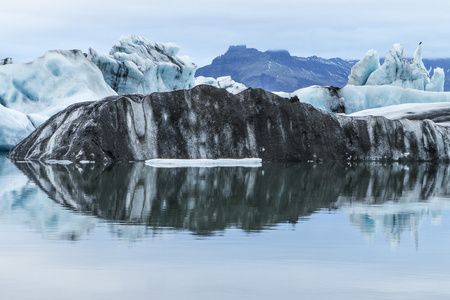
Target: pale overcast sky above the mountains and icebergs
(204,29)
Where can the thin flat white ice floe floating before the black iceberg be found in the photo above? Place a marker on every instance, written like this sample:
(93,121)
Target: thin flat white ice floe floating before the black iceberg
(223,162)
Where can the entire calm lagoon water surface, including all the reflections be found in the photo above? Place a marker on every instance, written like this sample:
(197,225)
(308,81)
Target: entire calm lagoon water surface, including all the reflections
(280,231)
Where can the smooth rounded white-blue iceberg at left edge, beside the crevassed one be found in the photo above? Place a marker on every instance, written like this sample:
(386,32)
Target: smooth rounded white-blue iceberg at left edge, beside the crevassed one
(52,82)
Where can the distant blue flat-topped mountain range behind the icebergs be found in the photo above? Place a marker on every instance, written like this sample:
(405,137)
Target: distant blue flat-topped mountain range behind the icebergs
(278,70)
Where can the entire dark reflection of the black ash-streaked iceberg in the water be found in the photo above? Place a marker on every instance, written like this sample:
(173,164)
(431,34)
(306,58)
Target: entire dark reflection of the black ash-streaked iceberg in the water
(205,200)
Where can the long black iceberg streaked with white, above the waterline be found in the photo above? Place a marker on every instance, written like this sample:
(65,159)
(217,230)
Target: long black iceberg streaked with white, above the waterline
(206,122)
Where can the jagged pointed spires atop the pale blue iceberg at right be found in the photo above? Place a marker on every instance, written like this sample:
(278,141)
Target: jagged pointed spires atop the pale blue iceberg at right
(397,71)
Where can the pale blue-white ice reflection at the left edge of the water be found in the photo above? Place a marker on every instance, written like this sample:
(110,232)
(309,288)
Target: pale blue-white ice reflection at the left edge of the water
(21,202)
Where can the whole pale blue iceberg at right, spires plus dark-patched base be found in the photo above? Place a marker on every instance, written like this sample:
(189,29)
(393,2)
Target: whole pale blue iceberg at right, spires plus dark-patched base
(371,85)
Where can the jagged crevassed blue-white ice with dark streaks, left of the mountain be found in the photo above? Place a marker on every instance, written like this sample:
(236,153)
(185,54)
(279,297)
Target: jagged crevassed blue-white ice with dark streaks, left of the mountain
(137,65)
